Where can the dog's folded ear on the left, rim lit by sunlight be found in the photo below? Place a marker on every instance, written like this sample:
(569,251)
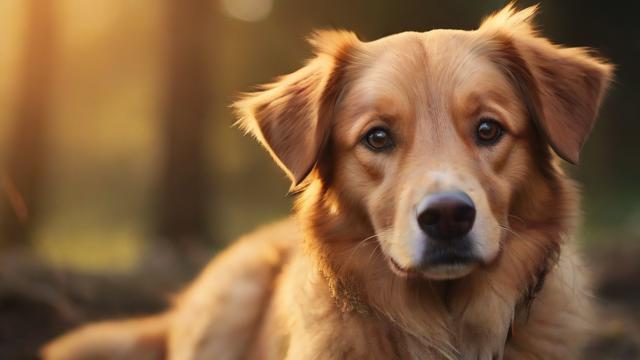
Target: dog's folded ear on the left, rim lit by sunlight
(292,116)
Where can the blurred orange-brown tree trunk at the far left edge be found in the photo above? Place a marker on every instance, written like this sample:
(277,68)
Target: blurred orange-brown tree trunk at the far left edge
(22,176)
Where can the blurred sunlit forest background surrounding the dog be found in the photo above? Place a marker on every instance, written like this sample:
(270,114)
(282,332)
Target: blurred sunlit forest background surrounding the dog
(121,175)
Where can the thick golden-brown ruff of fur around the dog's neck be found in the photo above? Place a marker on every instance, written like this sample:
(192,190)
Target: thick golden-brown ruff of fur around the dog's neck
(343,245)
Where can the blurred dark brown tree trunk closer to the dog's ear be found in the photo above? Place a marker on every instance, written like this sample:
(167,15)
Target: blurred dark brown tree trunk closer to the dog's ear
(185,180)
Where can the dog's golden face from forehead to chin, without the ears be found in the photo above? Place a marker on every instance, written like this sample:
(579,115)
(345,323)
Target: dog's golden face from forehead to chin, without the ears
(431,138)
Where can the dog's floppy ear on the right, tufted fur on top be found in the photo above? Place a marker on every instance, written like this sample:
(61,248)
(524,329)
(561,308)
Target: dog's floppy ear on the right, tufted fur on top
(563,87)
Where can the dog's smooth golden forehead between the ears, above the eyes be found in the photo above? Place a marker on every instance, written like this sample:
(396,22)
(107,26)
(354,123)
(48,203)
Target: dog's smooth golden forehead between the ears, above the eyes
(410,68)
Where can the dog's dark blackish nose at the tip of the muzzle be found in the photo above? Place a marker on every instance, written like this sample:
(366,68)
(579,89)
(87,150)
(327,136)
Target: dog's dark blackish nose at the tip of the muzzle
(447,215)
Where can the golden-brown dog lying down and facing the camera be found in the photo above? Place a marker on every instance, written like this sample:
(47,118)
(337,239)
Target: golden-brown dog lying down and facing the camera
(433,218)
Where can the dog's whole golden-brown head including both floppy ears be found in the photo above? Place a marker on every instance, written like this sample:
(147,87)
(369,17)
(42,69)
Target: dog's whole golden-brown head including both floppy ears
(437,139)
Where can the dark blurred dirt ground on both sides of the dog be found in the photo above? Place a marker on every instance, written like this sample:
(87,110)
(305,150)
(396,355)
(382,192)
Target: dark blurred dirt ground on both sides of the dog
(39,302)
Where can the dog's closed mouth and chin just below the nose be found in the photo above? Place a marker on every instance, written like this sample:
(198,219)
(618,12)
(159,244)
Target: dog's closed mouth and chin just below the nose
(439,265)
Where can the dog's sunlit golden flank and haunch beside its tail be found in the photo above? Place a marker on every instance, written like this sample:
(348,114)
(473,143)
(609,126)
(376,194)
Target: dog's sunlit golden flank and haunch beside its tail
(221,311)
